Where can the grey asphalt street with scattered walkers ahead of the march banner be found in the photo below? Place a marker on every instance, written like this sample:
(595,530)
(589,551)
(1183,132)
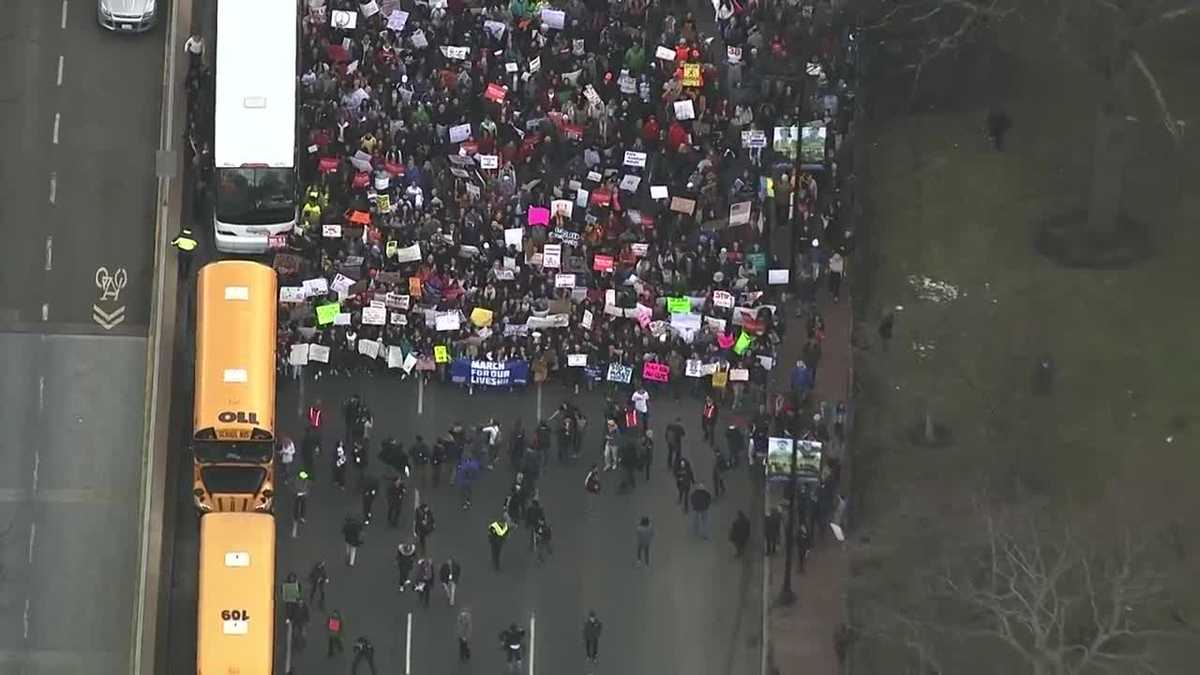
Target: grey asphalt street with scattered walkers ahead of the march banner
(697,611)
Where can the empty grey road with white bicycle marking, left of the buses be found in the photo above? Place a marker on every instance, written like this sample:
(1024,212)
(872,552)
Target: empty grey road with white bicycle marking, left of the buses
(81,116)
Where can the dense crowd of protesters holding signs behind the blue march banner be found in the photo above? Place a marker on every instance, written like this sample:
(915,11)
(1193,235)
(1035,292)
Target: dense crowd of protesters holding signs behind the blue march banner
(531,184)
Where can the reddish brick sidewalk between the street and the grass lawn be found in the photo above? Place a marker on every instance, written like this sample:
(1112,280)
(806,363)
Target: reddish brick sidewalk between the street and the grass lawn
(802,636)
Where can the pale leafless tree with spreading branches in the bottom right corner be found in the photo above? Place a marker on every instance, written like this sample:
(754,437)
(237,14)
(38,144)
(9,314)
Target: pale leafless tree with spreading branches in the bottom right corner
(1042,599)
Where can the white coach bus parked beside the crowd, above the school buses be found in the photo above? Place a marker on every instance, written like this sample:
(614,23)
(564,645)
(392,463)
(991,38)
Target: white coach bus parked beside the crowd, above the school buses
(256,123)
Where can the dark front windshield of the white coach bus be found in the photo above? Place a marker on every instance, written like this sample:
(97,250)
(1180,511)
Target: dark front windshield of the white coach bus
(256,196)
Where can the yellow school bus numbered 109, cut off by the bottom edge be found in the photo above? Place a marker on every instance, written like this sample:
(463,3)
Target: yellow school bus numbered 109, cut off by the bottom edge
(236,625)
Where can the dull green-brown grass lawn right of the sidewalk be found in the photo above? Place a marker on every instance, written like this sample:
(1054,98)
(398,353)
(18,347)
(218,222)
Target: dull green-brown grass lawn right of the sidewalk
(1120,429)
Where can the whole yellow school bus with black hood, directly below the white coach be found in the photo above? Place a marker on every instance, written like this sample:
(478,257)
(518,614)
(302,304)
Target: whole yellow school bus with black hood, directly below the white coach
(233,426)
